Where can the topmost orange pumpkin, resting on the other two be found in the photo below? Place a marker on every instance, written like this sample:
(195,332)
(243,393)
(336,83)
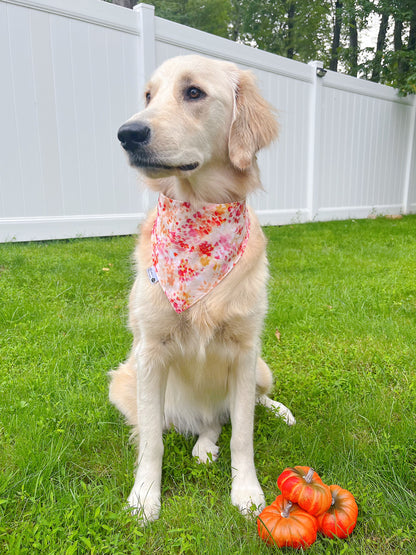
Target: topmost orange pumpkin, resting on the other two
(302,485)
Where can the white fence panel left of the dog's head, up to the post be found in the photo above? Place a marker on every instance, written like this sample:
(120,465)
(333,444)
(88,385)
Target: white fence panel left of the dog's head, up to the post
(70,81)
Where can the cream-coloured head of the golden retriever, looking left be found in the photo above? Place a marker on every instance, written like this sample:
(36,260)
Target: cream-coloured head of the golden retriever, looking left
(198,112)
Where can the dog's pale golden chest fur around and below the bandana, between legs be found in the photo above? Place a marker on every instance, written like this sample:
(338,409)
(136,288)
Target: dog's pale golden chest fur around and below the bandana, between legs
(201,344)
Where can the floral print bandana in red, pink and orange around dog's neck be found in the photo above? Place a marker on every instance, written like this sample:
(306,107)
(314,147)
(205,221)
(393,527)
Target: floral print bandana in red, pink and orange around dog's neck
(192,251)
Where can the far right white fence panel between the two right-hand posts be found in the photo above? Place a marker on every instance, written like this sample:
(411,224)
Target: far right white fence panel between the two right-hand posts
(363,149)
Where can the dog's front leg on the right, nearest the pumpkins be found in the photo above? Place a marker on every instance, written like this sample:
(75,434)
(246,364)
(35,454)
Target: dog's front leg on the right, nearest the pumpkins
(246,492)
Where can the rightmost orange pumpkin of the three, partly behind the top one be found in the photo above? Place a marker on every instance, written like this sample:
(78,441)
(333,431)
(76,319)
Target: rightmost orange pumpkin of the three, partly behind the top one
(340,519)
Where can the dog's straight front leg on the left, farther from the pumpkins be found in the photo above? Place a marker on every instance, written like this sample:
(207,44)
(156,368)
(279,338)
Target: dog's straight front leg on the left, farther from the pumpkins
(144,498)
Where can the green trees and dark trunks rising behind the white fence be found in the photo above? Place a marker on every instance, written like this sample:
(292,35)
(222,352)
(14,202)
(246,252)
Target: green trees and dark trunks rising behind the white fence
(309,30)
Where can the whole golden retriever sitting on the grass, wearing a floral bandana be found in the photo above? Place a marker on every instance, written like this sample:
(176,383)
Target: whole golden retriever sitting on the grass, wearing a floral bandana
(196,365)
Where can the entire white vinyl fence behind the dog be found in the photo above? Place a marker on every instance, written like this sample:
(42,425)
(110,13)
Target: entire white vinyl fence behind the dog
(72,71)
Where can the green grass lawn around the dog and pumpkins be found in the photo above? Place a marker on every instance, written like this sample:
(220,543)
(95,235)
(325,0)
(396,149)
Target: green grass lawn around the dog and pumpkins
(343,297)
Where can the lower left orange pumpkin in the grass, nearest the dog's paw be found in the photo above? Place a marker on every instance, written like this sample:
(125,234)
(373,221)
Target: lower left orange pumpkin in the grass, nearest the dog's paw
(285,524)
